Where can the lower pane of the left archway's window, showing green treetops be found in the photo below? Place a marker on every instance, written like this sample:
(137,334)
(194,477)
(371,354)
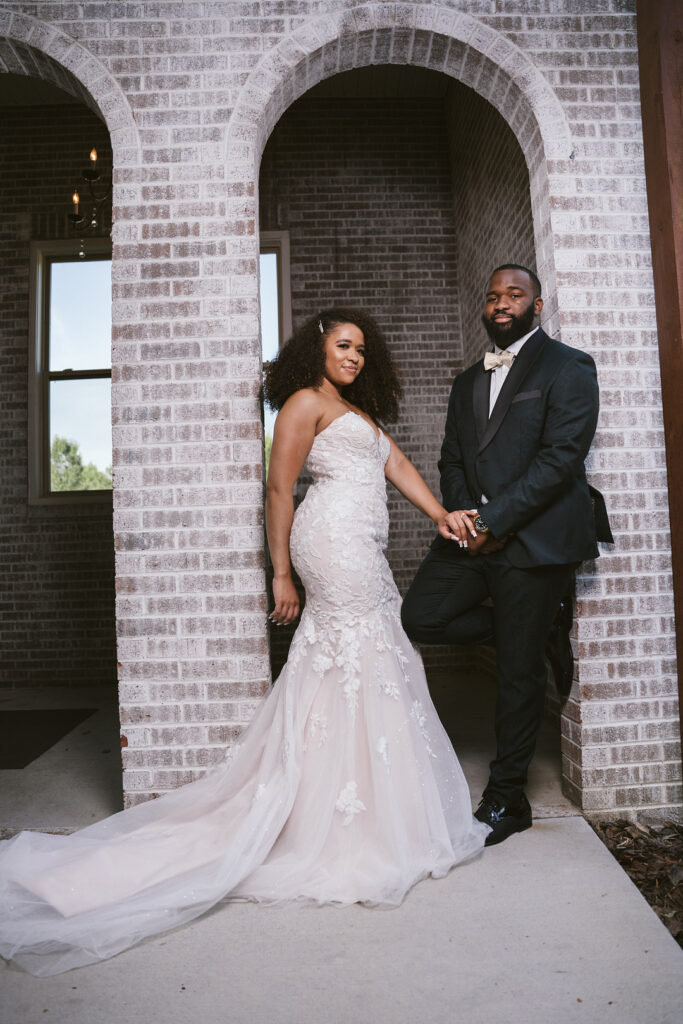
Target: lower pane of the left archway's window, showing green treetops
(80,436)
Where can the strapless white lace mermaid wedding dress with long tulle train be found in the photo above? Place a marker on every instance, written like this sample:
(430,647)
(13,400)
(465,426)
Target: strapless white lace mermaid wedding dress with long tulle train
(345,789)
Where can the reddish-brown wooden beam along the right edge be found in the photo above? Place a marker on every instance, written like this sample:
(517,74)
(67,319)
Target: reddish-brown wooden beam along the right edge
(661,60)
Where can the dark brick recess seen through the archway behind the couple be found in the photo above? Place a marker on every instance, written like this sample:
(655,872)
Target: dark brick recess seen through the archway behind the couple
(401,189)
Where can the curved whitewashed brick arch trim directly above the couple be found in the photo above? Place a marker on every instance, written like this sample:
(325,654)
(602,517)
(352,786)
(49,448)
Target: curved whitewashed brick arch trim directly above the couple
(426,36)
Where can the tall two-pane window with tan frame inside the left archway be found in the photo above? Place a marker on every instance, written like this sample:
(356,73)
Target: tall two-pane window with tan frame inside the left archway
(70,393)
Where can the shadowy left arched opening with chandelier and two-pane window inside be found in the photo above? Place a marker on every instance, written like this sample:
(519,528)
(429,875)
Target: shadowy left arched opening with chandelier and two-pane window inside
(62,766)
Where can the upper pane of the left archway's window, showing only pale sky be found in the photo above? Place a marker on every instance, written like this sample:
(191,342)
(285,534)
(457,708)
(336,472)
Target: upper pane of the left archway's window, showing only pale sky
(80,331)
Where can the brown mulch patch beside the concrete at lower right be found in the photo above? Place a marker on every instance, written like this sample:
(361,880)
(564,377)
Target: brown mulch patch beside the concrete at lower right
(653,858)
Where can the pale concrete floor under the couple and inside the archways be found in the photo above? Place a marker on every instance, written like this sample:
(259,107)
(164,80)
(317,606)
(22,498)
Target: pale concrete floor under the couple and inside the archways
(544,928)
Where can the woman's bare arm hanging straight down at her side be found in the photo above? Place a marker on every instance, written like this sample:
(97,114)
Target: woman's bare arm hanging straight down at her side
(293,437)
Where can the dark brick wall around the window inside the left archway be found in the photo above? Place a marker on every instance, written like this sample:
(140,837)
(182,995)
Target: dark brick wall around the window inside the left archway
(57,565)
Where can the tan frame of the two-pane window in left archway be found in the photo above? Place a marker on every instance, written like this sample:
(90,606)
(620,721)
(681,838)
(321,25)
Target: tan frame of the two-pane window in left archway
(42,255)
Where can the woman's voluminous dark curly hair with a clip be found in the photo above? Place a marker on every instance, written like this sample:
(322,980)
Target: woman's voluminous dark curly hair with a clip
(302,364)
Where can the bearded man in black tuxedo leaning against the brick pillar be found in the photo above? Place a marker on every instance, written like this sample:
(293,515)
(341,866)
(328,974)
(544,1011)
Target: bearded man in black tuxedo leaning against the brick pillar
(520,426)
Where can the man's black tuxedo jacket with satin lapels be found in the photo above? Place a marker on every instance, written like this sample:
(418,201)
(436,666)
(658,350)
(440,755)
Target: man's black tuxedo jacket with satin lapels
(528,458)
